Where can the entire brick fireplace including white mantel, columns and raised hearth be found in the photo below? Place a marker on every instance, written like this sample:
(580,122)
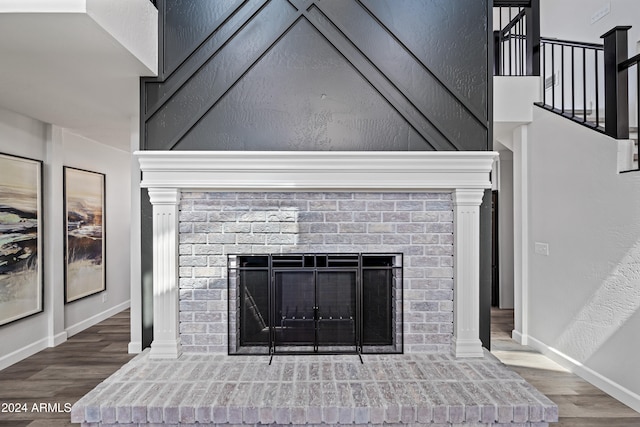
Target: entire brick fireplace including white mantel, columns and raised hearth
(315,221)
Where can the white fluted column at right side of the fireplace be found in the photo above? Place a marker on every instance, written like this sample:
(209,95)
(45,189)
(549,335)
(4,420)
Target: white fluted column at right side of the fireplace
(466,276)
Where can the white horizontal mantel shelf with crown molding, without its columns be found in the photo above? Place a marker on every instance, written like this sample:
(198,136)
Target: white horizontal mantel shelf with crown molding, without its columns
(316,170)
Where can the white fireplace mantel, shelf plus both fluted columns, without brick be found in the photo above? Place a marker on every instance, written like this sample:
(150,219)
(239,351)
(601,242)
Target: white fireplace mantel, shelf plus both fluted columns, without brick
(466,174)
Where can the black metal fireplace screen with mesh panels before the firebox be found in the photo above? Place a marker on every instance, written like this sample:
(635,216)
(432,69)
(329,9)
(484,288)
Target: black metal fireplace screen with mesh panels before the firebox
(315,303)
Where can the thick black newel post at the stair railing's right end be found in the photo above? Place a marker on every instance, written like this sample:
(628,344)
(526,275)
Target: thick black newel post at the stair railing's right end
(616,83)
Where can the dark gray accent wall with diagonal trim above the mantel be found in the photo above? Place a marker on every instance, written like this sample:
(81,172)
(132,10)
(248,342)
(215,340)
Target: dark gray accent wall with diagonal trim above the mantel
(320,75)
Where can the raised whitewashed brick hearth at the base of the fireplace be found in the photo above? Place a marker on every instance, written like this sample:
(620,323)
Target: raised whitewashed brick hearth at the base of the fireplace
(212,390)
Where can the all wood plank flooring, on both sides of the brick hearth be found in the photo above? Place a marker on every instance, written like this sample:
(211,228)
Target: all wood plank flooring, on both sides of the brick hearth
(61,375)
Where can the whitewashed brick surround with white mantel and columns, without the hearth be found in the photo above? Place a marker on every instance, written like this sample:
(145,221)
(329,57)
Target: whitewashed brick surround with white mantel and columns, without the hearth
(209,205)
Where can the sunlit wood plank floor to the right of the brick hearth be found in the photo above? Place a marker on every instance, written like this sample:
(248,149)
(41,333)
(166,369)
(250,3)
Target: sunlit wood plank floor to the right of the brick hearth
(579,403)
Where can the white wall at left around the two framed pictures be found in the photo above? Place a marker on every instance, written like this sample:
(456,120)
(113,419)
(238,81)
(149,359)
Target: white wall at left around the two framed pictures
(23,136)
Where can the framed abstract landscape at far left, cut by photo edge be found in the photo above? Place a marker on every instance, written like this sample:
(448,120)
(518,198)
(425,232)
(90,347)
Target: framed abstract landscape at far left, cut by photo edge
(21,278)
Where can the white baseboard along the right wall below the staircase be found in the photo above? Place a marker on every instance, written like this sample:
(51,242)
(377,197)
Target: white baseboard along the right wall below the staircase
(610,387)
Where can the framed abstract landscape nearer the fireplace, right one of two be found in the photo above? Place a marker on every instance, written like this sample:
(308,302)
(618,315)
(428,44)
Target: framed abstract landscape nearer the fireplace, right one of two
(84,200)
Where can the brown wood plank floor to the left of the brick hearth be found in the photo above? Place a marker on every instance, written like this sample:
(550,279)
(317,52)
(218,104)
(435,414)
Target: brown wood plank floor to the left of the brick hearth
(59,376)
